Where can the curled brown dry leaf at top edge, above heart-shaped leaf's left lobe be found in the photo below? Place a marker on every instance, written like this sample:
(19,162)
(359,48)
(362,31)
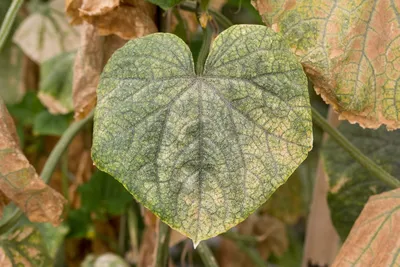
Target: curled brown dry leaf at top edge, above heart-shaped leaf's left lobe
(128,19)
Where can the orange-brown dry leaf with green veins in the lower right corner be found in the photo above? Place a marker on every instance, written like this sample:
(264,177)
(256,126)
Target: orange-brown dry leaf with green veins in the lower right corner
(374,239)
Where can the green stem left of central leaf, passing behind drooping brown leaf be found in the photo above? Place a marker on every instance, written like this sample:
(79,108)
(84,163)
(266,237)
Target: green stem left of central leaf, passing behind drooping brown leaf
(50,165)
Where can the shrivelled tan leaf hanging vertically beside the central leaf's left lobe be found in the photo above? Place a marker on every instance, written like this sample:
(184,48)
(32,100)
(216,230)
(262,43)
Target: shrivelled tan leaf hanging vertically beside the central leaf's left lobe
(92,55)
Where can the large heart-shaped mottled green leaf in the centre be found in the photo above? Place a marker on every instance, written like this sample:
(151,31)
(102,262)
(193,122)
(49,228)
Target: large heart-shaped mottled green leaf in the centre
(203,151)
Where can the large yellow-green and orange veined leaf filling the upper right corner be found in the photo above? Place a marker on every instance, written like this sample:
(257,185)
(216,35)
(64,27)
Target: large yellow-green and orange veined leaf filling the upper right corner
(349,49)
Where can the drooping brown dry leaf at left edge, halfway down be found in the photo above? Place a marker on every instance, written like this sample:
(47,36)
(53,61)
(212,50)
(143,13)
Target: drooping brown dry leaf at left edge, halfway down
(19,181)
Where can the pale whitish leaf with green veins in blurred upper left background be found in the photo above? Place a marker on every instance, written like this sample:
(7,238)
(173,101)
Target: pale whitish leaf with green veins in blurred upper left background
(42,37)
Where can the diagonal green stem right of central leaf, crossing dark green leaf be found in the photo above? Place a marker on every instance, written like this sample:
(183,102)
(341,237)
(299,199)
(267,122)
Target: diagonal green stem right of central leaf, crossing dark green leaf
(364,161)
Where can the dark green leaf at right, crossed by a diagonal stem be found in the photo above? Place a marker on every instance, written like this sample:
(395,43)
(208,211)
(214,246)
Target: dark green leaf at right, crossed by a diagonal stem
(350,184)
